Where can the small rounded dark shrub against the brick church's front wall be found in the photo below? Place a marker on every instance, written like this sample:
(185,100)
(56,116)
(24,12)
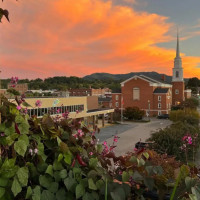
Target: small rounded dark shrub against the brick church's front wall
(133,113)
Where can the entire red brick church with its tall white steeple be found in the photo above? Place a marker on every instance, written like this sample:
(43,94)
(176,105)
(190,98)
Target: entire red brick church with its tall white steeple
(155,97)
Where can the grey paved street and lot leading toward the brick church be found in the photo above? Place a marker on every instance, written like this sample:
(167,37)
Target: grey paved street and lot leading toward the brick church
(130,133)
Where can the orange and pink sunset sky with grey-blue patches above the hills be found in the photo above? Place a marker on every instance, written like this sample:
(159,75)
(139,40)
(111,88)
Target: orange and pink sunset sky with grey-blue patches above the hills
(48,38)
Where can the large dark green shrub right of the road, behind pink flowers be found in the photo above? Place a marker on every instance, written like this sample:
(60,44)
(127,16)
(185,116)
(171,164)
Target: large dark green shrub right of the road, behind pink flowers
(169,140)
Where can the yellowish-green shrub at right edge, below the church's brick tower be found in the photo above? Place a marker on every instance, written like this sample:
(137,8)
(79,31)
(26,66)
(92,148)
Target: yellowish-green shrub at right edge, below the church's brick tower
(187,115)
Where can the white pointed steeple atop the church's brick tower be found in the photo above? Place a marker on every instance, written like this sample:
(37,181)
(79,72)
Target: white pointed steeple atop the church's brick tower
(177,70)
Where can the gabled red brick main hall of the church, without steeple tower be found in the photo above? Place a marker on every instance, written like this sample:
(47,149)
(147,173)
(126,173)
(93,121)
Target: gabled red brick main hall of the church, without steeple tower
(147,94)
